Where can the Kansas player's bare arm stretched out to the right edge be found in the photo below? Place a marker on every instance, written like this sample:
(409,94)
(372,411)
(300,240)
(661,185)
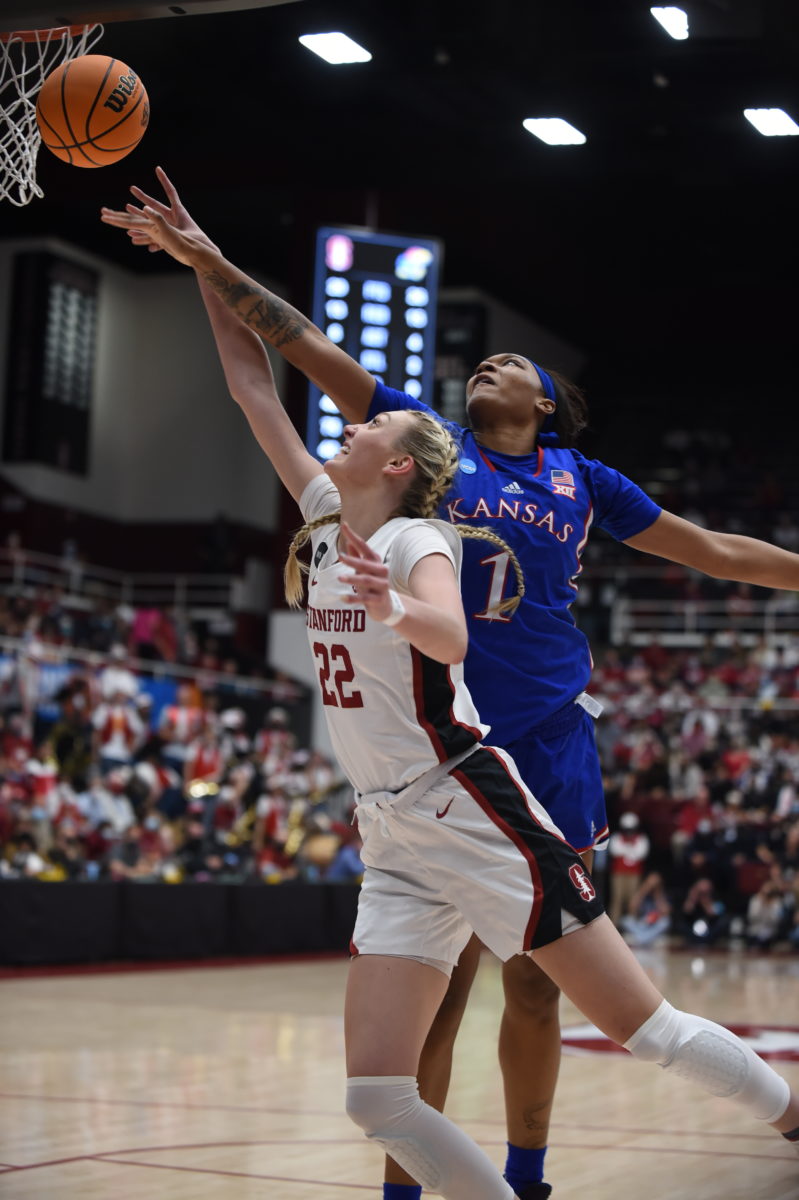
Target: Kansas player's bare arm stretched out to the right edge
(725,556)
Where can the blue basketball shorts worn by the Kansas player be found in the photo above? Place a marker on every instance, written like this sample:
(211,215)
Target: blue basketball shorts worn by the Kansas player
(560,763)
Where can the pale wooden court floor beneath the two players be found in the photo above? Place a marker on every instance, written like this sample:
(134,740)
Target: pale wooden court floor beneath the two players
(227,1083)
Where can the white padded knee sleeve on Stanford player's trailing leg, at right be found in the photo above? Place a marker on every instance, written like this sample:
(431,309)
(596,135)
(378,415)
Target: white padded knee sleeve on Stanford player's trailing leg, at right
(712,1058)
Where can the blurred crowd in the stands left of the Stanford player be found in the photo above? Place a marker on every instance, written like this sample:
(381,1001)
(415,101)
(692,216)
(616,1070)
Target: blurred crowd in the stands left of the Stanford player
(113,766)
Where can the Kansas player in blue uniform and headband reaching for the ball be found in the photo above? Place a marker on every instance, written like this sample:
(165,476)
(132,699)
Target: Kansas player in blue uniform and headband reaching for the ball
(520,476)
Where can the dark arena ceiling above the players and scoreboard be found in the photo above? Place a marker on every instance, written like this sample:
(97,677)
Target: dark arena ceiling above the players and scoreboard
(666,248)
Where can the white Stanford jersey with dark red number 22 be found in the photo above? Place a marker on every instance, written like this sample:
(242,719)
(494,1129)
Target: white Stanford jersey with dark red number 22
(393,712)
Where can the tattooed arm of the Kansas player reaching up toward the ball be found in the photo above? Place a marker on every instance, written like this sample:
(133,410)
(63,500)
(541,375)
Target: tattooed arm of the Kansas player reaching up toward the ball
(296,337)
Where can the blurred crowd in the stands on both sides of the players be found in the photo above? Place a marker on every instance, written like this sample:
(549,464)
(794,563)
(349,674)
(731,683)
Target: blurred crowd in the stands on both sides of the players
(137,746)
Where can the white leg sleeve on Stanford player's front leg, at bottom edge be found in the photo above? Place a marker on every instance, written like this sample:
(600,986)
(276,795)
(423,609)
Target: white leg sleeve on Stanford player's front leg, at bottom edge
(428,1145)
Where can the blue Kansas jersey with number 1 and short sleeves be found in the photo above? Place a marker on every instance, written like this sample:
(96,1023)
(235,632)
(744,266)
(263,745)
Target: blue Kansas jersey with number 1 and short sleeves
(522,669)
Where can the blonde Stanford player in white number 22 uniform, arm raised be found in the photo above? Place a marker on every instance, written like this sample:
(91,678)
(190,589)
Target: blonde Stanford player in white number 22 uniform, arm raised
(453,841)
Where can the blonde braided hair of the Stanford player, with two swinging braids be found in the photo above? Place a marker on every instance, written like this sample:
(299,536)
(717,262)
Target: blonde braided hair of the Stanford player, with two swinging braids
(436,457)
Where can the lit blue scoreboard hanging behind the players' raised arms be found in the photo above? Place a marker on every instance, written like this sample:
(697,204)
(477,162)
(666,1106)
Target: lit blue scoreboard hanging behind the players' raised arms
(375,295)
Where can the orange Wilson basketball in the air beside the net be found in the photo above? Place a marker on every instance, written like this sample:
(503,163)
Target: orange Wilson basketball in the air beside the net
(93,111)
